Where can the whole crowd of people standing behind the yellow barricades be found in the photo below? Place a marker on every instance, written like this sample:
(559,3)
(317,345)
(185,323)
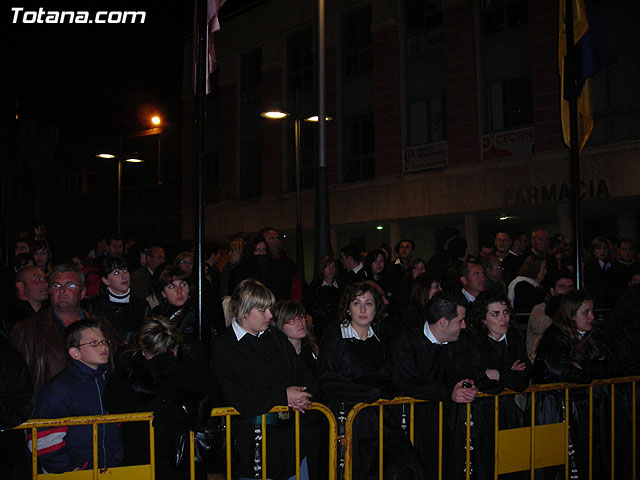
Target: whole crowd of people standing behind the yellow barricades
(117,331)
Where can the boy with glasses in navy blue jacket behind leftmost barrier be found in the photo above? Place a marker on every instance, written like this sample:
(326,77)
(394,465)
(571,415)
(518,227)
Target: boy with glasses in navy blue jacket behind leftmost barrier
(77,391)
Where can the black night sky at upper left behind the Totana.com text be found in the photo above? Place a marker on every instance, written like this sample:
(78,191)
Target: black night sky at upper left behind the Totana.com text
(96,79)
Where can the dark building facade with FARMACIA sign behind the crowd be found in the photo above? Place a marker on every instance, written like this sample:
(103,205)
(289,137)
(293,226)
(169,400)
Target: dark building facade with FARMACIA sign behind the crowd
(445,114)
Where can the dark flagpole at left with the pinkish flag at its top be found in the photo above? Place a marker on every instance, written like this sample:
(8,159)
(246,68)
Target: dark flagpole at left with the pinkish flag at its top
(201,80)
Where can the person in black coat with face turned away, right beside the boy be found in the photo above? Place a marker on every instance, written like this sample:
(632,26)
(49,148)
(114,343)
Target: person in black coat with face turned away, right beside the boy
(159,375)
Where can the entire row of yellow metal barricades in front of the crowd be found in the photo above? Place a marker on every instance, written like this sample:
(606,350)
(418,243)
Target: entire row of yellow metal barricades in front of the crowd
(513,451)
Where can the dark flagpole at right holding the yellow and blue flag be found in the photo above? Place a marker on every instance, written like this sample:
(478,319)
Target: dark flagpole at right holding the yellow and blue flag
(574,149)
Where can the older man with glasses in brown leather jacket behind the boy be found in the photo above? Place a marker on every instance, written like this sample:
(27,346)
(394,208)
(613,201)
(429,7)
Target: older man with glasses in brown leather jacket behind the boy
(40,337)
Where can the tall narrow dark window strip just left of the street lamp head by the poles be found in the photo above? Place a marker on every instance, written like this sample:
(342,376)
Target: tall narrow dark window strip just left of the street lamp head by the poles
(250,144)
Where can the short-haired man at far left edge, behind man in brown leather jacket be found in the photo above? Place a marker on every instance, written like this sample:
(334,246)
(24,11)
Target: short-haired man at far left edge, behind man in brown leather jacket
(32,292)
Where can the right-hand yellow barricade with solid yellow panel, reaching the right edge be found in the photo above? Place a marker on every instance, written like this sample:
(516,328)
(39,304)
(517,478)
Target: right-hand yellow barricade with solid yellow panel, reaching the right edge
(513,450)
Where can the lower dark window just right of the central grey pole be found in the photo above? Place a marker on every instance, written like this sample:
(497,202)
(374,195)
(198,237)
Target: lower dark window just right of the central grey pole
(359,158)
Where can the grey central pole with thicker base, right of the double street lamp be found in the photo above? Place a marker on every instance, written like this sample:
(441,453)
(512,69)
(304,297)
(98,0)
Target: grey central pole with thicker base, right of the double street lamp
(322,244)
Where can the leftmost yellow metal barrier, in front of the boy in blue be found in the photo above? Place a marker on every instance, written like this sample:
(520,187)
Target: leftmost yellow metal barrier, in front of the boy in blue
(135,472)
